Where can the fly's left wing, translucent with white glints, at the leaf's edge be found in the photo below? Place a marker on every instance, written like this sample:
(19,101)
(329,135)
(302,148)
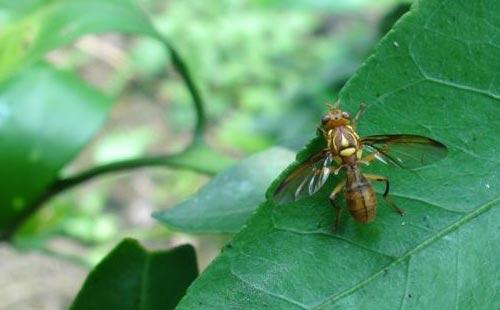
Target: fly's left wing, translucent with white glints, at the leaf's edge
(306,179)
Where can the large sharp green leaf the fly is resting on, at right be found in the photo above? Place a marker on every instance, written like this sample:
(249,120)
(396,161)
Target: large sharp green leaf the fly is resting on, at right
(434,74)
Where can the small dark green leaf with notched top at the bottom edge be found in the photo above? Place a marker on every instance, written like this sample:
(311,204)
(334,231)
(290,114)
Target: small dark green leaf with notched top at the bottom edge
(132,278)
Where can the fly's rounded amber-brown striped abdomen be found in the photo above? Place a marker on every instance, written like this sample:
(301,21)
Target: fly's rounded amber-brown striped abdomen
(360,198)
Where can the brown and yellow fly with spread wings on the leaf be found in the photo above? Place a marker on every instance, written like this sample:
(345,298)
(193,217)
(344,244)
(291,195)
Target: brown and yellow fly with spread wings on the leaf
(344,150)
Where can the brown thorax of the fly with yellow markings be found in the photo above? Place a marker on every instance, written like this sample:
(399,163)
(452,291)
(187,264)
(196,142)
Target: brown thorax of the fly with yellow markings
(344,142)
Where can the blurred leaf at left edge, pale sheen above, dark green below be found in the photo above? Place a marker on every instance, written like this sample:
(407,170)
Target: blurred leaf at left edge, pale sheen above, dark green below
(46,117)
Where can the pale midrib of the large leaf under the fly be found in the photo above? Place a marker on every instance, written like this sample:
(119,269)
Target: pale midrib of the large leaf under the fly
(445,231)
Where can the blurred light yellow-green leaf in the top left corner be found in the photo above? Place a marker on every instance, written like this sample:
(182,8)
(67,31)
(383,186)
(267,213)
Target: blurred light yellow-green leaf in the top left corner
(58,23)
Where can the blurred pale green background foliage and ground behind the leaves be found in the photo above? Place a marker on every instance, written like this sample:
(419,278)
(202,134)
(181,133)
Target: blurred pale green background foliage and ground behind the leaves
(265,69)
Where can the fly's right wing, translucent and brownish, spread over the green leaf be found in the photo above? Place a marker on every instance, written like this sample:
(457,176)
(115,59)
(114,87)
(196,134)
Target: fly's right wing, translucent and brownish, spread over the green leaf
(405,151)
